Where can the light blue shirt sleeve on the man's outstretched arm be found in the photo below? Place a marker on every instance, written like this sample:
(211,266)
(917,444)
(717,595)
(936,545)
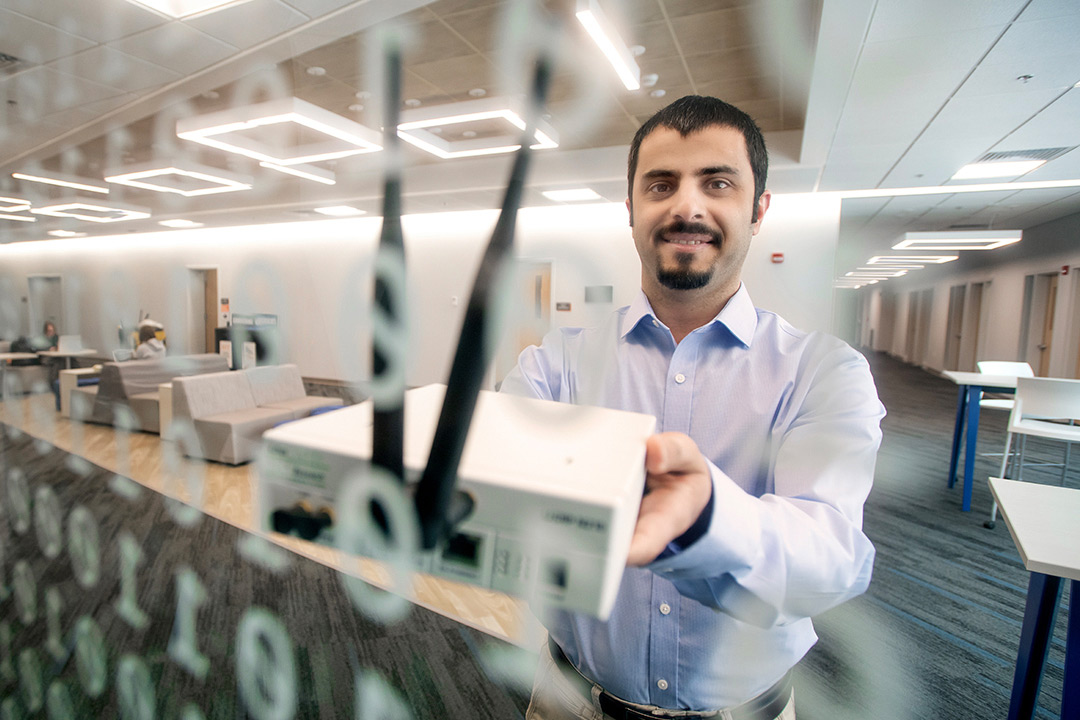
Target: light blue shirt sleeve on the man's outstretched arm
(801,550)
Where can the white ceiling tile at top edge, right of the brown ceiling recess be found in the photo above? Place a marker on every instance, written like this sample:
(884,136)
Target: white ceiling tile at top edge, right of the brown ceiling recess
(910,19)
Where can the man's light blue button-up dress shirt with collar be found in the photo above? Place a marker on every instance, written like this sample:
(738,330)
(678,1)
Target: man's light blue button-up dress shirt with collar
(790,423)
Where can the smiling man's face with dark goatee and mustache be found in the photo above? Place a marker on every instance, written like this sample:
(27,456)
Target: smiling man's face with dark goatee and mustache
(693,210)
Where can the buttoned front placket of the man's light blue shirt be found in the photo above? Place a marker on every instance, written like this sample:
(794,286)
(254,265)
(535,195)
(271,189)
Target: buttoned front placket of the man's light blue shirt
(666,601)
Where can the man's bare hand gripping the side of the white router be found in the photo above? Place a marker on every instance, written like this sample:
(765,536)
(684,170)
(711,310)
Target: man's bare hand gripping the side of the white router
(679,487)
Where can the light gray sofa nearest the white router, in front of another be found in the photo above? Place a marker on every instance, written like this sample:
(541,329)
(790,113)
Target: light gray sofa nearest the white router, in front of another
(227,413)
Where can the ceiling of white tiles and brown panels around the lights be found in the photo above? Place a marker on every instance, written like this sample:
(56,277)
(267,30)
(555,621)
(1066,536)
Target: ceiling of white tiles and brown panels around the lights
(854,96)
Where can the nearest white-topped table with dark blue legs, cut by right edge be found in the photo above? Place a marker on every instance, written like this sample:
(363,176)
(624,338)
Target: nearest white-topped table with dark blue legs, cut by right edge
(1043,521)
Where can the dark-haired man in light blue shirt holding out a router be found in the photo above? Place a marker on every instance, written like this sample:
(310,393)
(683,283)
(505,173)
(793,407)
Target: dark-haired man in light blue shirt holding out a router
(752,520)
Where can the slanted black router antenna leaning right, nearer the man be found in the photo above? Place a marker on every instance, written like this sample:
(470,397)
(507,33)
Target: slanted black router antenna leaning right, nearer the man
(436,494)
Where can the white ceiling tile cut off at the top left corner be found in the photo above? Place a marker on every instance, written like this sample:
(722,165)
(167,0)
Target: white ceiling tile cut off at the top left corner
(101,21)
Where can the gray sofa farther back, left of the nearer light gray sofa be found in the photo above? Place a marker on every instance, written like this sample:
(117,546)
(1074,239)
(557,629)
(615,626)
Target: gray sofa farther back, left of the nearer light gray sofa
(133,385)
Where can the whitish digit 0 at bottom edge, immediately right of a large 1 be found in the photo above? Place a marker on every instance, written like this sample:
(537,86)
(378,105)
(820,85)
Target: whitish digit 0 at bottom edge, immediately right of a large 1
(266,669)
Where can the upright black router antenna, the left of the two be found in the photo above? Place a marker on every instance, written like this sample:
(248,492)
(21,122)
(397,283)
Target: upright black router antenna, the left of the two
(388,431)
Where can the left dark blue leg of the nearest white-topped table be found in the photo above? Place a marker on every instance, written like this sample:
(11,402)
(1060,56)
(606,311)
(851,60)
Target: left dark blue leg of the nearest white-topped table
(1044,593)
